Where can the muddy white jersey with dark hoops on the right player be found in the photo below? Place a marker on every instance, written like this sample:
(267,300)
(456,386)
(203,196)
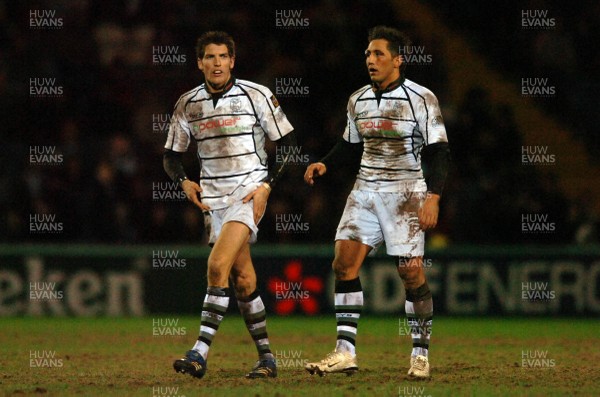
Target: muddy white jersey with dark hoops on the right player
(393,131)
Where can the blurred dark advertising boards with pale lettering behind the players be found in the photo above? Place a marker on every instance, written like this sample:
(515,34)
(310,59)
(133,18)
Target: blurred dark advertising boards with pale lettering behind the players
(143,280)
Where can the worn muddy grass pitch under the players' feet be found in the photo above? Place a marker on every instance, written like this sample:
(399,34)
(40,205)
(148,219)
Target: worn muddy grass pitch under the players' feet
(469,357)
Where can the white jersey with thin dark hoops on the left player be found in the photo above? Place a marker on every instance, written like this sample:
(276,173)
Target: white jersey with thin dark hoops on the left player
(230,137)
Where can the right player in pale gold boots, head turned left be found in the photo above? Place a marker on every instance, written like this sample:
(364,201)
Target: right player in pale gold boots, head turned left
(393,126)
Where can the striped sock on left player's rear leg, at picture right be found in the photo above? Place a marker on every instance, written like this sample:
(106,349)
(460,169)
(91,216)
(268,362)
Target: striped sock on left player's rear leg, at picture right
(255,317)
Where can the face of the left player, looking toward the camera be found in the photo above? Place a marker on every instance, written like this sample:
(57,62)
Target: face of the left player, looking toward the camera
(216,64)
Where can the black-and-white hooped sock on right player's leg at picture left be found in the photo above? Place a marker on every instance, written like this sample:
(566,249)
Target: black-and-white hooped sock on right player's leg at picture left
(348,306)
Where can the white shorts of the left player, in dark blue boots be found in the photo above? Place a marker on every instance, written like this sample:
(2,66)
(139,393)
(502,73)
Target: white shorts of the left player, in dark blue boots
(238,212)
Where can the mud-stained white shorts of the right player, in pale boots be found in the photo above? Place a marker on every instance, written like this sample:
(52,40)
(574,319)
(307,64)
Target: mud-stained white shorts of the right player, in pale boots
(374,217)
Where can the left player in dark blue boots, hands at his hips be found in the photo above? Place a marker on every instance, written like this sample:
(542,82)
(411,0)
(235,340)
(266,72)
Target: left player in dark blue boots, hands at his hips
(228,118)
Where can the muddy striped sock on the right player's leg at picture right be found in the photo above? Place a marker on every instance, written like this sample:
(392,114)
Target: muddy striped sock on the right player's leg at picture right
(419,313)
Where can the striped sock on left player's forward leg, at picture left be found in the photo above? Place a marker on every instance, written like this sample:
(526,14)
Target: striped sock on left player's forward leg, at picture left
(215,305)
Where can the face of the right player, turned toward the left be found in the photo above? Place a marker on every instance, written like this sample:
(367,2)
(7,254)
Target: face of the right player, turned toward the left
(383,67)
